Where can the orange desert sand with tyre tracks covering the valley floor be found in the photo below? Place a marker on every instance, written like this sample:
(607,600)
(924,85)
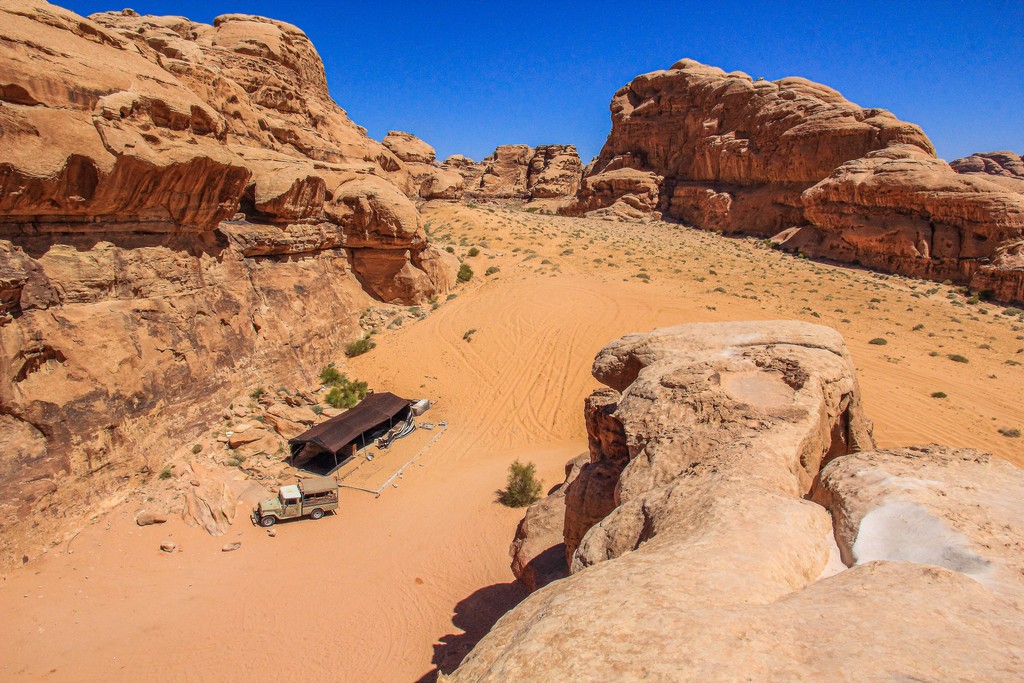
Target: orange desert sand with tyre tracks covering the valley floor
(396,586)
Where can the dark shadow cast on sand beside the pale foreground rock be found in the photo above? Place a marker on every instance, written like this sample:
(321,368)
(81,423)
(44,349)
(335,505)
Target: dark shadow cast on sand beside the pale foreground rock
(475,616)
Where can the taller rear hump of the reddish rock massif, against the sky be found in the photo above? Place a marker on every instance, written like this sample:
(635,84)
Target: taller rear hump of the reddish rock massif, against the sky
(761,143)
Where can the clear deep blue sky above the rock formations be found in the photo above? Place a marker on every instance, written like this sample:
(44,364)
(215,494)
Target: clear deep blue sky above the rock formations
(470,76)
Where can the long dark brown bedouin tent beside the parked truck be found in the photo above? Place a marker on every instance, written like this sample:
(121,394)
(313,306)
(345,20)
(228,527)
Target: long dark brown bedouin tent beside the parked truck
(338,435)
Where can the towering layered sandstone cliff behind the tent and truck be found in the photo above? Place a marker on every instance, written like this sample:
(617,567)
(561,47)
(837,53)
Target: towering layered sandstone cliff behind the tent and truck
(183,209)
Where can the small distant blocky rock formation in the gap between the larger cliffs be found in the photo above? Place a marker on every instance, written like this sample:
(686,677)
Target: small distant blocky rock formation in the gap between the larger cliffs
(522,173)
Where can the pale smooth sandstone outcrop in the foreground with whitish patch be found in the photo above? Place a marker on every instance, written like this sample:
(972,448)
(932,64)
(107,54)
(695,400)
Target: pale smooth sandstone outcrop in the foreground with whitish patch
(733,523)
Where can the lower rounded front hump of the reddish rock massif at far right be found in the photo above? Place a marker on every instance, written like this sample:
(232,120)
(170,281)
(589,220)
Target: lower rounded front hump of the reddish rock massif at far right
(902,210)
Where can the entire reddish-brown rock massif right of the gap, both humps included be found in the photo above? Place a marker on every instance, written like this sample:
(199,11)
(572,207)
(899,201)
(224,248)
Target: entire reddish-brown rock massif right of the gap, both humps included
(731,153)
